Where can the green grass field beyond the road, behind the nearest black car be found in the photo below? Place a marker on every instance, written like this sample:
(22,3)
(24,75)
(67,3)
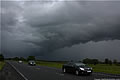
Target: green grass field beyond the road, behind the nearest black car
(106,68)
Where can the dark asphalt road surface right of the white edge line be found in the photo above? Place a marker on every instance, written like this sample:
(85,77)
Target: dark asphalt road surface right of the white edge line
(49,73)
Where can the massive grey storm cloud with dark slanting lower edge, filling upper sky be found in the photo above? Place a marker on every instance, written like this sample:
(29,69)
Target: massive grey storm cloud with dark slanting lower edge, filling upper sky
(49,26)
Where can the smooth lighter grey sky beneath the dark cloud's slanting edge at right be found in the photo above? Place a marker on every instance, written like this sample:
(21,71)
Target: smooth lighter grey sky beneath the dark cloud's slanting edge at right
(102,49)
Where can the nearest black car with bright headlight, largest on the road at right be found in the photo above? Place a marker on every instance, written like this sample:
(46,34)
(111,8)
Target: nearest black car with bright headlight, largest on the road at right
(77,68)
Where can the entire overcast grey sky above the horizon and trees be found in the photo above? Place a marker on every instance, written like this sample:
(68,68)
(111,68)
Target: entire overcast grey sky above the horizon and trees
(60,29)
